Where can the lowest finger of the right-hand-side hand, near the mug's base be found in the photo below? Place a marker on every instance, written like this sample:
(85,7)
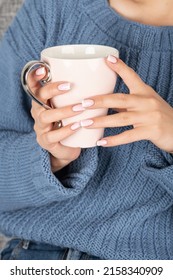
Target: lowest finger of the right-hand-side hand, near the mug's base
(129,136)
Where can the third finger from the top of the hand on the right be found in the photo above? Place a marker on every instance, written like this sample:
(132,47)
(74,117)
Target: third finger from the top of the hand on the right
(116,120)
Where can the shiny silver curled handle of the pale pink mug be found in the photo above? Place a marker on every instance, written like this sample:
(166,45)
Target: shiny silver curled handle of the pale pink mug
(32,65)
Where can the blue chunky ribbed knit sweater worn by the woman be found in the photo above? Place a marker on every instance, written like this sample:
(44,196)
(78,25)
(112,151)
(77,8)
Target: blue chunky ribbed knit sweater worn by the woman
(114,203)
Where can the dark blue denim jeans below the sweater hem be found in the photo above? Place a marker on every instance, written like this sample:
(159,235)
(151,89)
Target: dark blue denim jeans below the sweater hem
(17,249)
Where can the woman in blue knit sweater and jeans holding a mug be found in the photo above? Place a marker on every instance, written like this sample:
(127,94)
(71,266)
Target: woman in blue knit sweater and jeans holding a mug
(113,201)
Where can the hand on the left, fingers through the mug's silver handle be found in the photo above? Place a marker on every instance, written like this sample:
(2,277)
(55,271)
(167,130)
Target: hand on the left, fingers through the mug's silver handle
(47,133)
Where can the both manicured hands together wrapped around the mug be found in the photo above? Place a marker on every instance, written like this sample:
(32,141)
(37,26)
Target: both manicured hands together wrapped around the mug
(150,116)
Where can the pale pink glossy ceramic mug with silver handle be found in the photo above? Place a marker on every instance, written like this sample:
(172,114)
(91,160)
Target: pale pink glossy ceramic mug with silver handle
(85,68)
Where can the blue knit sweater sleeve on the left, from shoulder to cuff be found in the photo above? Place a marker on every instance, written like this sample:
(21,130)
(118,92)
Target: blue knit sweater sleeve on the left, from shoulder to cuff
(26,179)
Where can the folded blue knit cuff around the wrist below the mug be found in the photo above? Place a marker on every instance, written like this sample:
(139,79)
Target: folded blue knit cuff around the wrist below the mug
(62,185)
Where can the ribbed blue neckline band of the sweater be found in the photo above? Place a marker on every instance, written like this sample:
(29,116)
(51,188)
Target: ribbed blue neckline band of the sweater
(127,32)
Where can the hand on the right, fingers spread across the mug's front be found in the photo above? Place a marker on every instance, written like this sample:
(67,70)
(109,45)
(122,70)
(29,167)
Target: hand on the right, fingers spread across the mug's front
(150,116)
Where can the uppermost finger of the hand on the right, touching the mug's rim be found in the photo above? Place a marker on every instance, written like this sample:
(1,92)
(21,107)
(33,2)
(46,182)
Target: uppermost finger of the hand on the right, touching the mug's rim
(129,76)
